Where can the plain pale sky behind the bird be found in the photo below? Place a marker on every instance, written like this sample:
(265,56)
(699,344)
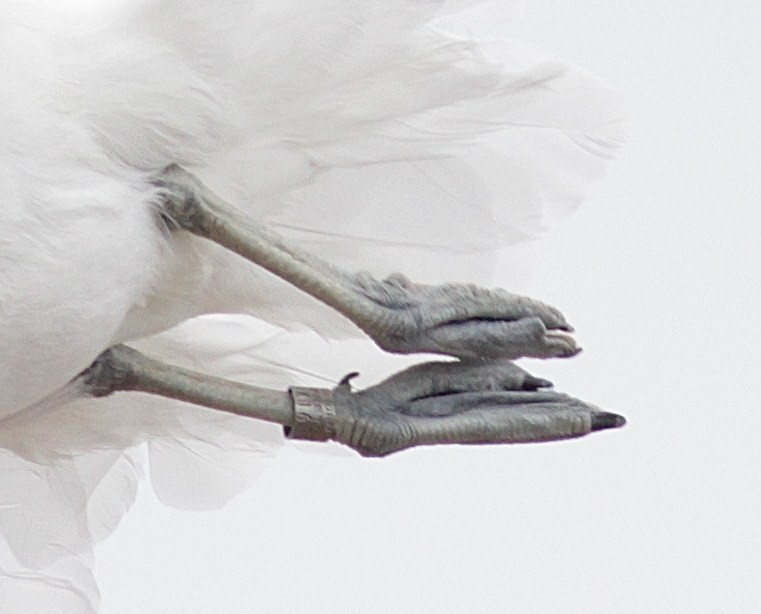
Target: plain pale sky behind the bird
(659,272)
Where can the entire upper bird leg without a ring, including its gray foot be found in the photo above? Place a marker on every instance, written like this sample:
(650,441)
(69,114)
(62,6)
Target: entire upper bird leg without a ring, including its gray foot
(461,320)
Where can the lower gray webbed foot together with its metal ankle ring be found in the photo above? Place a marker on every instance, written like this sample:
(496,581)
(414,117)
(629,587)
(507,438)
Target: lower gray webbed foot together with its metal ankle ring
(472,402)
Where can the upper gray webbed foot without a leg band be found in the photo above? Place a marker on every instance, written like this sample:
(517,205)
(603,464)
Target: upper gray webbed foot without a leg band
(463,320)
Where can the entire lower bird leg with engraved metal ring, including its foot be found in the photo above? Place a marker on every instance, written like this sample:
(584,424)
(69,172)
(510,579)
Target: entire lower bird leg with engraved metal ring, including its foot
(466,402)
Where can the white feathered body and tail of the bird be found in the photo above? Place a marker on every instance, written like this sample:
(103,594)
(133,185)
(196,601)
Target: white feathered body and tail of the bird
(361,131)
